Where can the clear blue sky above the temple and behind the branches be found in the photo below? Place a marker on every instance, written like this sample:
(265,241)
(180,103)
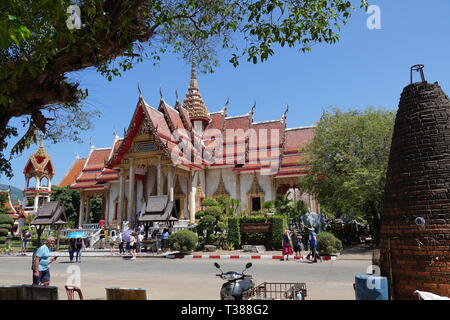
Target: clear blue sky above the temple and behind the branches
(366,68)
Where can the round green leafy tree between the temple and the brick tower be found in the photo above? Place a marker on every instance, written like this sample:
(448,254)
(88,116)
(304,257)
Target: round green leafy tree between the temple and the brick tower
(348,158)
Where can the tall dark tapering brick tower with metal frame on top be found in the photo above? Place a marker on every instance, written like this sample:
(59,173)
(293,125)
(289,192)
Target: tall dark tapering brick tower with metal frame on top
(415,224)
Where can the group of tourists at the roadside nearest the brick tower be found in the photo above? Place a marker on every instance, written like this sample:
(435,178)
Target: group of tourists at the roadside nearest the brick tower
(293,243)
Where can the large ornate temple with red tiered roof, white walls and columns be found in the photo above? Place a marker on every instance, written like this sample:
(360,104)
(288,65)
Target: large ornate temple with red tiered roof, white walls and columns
(187,153)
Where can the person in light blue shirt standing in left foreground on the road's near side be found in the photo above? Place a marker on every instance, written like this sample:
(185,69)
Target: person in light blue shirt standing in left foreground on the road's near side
(42,259)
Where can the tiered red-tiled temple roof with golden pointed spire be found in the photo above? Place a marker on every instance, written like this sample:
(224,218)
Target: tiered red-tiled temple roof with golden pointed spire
(275,146)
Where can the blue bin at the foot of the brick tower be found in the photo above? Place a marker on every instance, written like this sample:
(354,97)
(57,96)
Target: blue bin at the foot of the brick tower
(371,287)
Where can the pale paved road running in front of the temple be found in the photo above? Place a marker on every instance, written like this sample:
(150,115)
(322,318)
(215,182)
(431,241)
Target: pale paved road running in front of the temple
(168,279)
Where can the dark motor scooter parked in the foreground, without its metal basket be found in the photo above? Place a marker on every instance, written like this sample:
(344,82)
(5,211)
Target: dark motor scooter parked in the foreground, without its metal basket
(237,283)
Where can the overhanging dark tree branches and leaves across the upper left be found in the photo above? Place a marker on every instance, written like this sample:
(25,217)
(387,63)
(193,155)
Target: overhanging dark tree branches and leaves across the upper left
(39,46)
